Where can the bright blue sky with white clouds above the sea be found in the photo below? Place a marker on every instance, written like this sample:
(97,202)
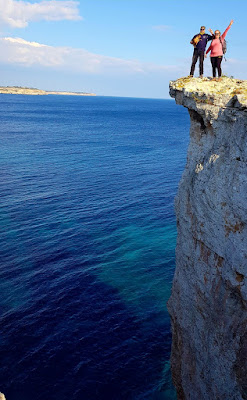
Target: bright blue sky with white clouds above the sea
(126,48)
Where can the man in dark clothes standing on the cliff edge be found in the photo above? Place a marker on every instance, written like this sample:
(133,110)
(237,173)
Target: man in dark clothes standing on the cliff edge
(199,42)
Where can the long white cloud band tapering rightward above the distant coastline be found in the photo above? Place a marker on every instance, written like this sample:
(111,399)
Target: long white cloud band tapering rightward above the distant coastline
(21,52)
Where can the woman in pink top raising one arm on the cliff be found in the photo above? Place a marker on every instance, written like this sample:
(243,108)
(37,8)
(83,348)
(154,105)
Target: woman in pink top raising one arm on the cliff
(216,48)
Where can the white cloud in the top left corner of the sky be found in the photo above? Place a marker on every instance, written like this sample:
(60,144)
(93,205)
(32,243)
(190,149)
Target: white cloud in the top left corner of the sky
(18,14)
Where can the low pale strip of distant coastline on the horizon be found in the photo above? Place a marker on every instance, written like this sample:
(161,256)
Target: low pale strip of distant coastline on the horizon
(34,91)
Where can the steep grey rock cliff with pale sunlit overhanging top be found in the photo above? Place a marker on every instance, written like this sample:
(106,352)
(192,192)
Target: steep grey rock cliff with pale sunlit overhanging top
(208,305)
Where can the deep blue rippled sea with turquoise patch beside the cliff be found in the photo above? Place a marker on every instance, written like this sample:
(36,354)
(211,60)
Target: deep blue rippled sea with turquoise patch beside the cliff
(87,240)
